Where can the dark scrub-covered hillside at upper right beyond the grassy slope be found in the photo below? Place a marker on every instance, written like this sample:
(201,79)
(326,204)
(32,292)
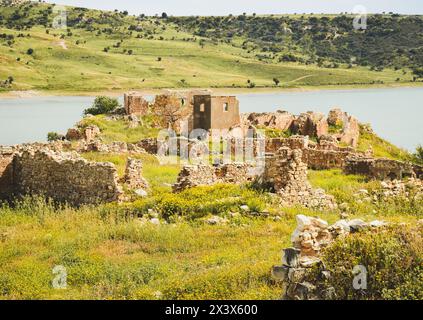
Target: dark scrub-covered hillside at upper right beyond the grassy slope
(391,41)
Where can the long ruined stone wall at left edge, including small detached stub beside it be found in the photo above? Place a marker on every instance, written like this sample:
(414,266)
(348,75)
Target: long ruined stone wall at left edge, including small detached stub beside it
(43,169)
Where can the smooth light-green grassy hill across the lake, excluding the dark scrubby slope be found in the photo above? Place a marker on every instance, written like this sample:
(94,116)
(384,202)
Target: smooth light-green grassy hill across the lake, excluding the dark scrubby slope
(112,51)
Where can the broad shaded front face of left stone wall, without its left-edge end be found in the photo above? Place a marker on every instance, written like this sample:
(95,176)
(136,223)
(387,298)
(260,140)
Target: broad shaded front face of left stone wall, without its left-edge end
(65,177)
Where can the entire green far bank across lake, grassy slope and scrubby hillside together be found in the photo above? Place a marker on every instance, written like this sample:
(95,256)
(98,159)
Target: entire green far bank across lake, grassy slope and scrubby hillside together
(111,51)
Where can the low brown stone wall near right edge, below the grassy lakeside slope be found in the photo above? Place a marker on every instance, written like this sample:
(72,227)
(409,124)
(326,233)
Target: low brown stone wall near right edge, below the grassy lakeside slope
(379,169)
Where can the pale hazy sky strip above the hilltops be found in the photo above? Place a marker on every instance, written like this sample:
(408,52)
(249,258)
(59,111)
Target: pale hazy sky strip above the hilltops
(225,7)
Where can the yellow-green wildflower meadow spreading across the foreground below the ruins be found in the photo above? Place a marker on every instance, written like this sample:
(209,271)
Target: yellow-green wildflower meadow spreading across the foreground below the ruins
(110,253)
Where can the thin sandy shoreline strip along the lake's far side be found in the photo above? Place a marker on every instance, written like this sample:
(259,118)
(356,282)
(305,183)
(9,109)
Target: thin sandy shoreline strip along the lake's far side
(218,91)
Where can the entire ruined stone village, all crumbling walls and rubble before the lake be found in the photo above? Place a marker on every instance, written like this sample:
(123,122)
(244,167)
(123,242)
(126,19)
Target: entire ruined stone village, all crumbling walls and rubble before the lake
(316,141)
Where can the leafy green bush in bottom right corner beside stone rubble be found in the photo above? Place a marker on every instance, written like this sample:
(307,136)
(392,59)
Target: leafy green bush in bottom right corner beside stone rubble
(393,260)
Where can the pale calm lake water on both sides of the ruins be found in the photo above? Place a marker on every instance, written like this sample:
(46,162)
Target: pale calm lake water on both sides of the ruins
(395,114)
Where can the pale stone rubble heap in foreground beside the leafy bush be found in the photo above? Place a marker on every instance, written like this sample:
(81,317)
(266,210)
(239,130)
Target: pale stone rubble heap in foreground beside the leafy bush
(309,239)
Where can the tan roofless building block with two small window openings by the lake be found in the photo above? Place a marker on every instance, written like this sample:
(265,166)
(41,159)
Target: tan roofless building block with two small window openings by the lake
(216,112)
